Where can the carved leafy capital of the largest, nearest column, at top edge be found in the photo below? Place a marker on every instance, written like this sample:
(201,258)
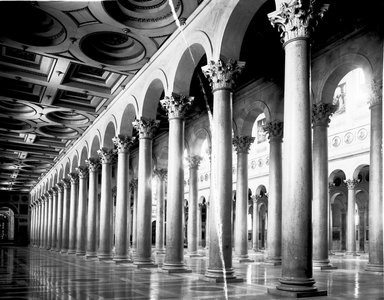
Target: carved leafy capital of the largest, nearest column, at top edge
(297,19)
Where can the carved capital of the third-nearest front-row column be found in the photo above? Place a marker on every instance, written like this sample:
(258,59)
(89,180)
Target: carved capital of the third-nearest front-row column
(176,105)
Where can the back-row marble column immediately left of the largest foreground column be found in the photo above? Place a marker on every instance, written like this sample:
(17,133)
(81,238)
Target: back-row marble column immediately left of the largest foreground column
(275,135)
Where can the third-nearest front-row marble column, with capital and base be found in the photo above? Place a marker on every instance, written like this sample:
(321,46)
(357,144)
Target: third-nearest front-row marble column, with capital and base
(176,107)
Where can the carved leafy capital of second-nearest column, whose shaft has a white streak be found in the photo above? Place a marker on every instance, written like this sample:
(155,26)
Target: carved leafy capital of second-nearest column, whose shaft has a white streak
(222,75)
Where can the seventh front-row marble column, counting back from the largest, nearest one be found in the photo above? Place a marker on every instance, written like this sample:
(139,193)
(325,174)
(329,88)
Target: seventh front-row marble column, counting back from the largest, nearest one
(93,164)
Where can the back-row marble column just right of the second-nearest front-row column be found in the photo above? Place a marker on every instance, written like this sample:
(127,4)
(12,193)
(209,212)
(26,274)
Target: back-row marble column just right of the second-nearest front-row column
(242,145)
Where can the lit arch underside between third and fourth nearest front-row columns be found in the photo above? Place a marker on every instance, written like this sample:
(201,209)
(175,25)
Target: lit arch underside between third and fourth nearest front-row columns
(158,85)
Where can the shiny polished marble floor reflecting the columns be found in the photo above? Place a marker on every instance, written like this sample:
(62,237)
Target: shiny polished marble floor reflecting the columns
(32,273)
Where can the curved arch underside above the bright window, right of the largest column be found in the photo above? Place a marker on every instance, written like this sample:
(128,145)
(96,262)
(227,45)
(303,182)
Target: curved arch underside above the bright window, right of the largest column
(342,65)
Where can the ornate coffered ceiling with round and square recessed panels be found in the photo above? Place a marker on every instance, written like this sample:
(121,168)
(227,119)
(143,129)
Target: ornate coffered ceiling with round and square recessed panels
(61,64)
